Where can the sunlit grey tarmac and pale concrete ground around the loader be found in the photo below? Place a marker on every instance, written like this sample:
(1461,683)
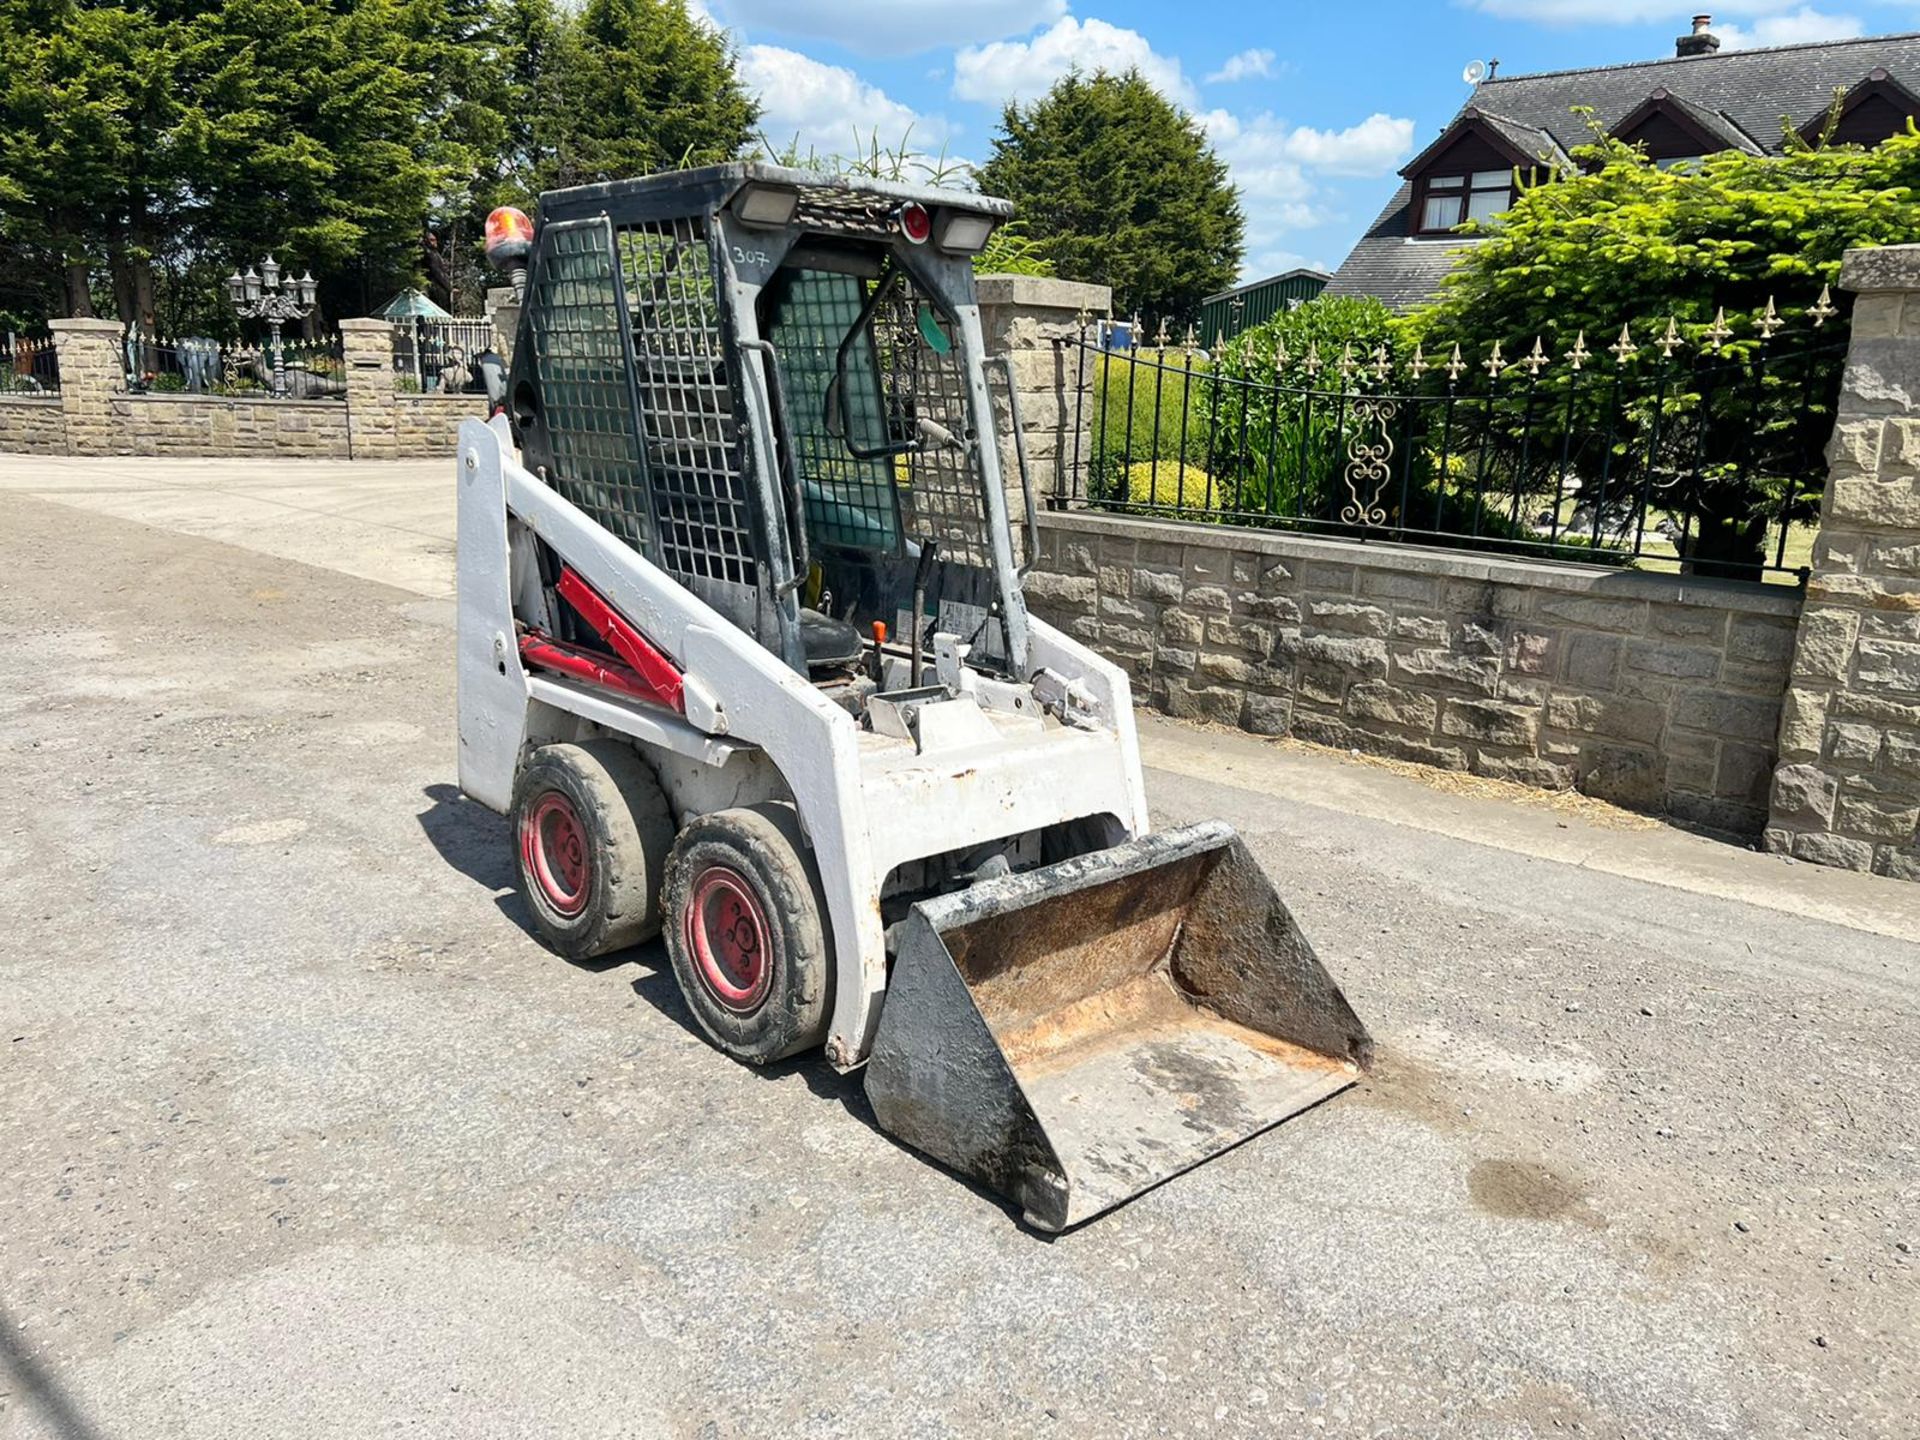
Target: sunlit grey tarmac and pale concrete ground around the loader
(308,1138)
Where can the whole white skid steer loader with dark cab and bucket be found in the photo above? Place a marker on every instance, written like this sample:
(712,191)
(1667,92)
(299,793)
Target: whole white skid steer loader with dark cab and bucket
(744,658)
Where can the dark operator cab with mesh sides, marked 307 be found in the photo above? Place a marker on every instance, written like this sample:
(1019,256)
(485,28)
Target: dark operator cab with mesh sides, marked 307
(771,383)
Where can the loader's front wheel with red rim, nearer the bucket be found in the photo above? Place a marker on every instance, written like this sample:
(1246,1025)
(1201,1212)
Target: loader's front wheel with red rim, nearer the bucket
(748,932)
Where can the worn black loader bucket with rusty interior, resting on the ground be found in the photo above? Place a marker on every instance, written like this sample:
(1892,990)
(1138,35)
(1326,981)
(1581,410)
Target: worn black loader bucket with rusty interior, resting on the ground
(1080,1034)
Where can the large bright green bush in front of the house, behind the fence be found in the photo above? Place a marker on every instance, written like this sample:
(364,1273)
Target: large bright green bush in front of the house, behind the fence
(1629,243)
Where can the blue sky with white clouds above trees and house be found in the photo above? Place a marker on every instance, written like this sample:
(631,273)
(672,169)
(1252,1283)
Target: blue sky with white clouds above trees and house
(1314,107)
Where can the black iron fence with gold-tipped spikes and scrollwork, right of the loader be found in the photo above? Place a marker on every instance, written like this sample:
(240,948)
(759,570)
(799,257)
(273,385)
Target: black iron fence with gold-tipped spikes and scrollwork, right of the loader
(1692,448)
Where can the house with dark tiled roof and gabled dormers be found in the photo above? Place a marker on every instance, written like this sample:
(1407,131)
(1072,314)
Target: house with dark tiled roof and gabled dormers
(1698,103)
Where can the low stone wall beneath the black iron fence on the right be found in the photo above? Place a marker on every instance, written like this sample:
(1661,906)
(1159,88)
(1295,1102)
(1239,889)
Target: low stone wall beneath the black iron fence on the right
(1648,690)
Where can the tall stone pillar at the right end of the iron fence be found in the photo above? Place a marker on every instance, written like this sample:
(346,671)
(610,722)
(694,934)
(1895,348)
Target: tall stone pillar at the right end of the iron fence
(1848,786)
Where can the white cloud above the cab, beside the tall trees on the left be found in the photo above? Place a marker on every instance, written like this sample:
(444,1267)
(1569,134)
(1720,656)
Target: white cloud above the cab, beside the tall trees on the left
(830,108)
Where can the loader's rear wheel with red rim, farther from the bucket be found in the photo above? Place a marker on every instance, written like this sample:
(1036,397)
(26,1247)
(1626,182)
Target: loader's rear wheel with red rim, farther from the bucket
(592,834)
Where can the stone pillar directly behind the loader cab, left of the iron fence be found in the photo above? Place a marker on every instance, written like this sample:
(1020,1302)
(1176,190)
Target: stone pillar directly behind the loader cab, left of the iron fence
(1024,316)
